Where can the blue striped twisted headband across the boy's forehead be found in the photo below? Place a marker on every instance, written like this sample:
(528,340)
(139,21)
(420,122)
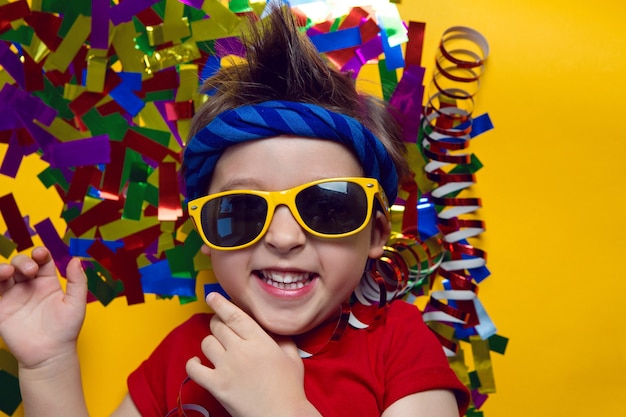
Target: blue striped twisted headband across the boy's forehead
(277,118)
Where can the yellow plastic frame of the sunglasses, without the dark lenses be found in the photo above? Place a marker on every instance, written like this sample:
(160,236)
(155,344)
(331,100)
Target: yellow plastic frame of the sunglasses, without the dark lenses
(370,186)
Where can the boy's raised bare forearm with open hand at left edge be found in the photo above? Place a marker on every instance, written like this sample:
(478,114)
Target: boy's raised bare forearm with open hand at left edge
(40,323)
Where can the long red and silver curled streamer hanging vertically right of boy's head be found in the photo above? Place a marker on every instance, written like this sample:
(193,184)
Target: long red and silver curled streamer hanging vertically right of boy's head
(446,131)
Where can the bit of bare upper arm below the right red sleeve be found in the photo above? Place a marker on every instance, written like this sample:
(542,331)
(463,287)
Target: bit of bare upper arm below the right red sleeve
(435,403)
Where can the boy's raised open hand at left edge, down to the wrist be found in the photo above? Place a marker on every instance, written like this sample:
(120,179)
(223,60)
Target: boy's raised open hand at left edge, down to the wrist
(38,321)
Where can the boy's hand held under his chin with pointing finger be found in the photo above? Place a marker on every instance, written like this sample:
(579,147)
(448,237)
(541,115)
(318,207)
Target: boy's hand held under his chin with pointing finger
(253,375)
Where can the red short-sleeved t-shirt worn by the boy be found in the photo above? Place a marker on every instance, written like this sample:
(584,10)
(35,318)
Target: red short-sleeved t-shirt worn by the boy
(360,375)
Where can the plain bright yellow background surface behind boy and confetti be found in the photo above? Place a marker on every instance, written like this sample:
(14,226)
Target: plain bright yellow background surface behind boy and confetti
(554,204)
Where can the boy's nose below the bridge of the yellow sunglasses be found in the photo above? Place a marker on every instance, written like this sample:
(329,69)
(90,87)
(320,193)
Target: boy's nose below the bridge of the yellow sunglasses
(284,234)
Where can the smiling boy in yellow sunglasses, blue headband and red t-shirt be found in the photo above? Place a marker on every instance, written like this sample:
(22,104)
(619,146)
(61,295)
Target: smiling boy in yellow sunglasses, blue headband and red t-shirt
(289,172)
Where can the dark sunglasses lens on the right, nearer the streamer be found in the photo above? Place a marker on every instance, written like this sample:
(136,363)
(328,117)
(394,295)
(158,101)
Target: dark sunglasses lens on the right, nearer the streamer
(333,207)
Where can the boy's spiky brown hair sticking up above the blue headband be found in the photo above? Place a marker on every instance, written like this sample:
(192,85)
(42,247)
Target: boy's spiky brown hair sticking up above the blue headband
(282,64)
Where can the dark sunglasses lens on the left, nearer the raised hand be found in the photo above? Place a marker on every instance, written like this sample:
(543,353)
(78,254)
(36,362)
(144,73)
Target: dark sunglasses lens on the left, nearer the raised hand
(233,220)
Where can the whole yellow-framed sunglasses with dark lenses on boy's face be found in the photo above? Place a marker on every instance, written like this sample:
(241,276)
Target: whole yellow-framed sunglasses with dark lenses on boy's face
(328,208)
